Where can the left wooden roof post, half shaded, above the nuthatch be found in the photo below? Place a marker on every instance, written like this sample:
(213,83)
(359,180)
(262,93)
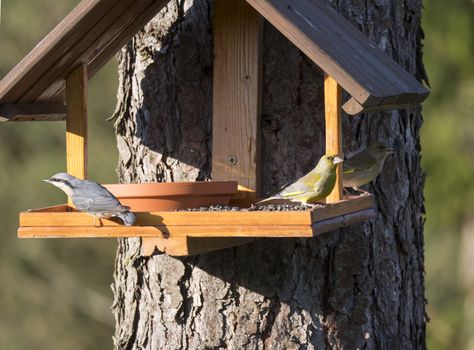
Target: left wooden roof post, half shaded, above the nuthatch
(76,122)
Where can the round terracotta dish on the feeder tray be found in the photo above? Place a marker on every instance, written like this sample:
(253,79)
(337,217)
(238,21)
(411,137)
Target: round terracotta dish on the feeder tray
(156,196)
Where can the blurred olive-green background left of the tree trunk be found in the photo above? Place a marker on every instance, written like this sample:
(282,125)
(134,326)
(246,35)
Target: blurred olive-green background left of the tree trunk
(54,294)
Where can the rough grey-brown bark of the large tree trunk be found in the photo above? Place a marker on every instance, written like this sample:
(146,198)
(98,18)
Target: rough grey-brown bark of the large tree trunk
(361,287)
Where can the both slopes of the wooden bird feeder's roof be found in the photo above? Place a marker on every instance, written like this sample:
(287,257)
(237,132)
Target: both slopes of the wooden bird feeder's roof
(96,29)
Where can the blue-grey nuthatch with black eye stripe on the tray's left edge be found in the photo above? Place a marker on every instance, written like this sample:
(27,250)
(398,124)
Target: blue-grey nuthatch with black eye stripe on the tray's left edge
(92,198)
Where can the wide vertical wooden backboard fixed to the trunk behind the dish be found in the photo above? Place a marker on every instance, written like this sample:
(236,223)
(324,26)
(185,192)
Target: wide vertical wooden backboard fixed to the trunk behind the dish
(236,93)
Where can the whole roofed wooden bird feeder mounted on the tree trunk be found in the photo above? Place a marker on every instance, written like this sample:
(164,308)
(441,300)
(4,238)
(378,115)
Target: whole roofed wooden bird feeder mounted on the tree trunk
(50,83)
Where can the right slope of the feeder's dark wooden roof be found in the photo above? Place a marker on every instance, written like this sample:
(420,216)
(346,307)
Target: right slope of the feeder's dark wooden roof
(372,78)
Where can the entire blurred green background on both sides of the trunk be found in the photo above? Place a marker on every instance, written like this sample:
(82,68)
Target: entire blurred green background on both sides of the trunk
(55,294)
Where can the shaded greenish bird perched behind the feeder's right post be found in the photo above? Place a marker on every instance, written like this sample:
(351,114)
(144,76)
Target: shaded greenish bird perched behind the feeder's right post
(365,166)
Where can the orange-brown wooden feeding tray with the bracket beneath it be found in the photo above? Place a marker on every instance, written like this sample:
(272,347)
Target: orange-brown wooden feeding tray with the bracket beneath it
(181,233)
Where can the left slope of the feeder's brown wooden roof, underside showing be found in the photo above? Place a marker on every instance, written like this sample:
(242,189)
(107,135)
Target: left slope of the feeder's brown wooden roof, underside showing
(92,33)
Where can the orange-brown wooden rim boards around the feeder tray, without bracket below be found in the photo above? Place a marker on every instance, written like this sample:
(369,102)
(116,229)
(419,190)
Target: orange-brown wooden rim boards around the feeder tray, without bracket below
(59,222)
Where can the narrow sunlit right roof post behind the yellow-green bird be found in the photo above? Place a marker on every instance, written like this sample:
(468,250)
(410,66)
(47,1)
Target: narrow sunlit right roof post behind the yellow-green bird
(332,110)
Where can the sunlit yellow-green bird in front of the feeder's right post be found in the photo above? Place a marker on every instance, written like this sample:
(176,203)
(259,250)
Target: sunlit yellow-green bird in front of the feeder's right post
(315,185)
